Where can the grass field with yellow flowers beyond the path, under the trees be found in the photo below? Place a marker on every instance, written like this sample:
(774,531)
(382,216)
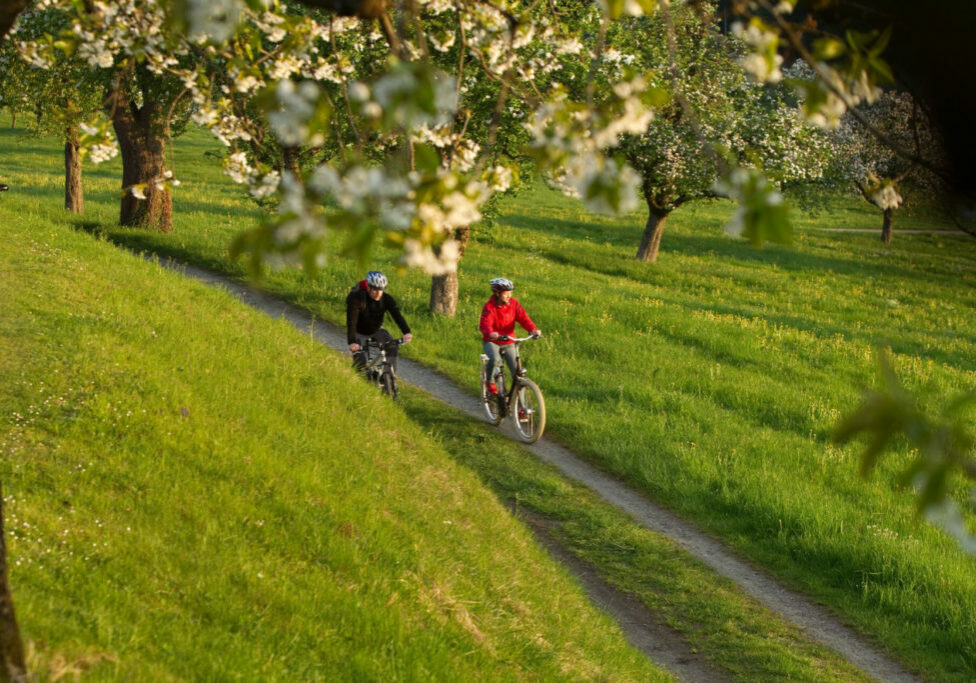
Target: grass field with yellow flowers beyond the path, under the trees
(711,380)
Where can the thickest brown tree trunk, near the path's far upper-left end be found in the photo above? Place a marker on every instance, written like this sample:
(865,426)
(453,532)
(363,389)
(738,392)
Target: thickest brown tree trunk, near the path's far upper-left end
(142,135)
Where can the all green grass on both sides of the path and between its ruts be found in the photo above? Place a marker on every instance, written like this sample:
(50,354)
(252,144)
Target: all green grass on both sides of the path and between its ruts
(168,520)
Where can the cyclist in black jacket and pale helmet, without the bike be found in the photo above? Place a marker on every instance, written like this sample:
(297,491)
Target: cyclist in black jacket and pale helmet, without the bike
(366,306)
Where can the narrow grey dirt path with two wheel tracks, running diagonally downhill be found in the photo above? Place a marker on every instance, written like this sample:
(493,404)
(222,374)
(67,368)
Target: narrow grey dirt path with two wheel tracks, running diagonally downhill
(819,623)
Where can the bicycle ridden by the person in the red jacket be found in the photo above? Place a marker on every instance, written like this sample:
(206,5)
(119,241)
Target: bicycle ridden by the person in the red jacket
(523,399)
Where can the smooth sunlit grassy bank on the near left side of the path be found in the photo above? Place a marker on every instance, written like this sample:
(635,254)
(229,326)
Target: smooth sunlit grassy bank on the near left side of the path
(196,492)
